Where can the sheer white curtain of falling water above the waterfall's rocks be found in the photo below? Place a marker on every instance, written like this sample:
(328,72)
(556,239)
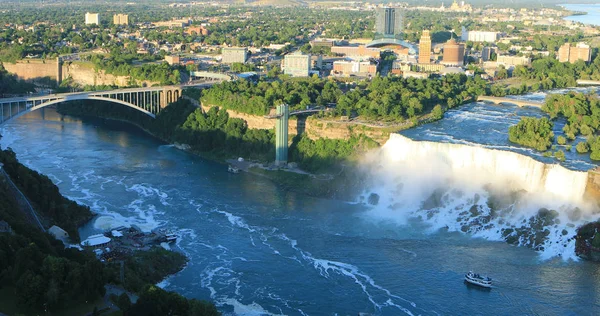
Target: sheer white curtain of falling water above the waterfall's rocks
(476,163)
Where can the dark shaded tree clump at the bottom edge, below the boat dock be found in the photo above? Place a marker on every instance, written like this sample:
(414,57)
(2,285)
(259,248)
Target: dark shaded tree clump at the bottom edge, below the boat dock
(154,301)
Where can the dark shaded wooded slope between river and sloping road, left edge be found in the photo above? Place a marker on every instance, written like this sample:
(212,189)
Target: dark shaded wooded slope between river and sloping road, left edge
(44,196)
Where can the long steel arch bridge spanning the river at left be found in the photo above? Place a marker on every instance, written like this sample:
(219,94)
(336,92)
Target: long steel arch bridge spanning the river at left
(146,100)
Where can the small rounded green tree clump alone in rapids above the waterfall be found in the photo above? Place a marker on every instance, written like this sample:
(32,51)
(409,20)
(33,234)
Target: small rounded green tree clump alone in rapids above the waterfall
(532,132)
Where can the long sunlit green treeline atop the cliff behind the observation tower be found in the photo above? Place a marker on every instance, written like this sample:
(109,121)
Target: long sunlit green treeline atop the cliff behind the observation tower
(389,98)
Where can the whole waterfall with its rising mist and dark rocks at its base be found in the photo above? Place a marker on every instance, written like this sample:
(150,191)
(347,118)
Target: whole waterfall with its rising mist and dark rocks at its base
(498,195)
